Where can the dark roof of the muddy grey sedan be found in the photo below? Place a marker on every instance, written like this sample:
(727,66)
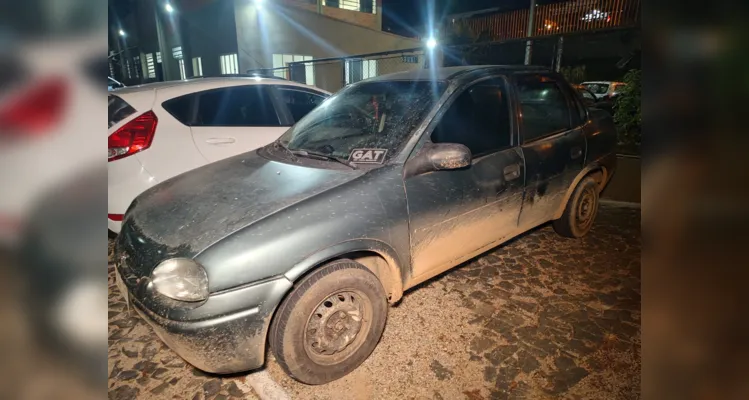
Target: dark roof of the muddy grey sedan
(449,73)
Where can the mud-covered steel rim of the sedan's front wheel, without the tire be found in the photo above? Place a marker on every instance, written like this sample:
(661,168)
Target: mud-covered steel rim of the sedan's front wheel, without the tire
(337,327)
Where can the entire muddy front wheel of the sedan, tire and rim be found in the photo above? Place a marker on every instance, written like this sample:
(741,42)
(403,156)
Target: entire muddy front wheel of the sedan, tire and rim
(330,323)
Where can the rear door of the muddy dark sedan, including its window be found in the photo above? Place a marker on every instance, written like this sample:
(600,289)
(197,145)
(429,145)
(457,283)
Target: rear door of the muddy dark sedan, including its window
(553,144)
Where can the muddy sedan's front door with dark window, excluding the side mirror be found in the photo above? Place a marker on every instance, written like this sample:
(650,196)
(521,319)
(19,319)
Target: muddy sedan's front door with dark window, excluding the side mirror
(456,214)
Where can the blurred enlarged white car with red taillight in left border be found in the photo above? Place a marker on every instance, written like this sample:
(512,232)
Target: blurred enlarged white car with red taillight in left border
(48,92)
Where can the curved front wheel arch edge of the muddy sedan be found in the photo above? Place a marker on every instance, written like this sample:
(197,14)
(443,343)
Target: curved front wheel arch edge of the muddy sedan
(394,284)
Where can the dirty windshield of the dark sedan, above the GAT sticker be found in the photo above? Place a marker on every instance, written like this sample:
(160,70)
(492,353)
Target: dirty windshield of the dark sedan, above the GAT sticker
(368,115)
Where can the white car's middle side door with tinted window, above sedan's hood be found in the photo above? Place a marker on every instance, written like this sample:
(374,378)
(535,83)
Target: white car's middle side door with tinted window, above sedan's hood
(234,120)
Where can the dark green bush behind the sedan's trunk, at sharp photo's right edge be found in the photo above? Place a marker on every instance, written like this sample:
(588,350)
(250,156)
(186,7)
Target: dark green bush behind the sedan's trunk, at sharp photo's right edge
(628,109)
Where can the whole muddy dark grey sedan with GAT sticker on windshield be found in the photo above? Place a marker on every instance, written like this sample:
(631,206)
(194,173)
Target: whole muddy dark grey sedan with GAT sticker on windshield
(303,243)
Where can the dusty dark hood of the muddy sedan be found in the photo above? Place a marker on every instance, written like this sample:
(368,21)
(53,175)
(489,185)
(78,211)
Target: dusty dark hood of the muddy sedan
(186,214)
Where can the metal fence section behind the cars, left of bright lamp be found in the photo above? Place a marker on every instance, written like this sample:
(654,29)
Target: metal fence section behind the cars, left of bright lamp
(332,74)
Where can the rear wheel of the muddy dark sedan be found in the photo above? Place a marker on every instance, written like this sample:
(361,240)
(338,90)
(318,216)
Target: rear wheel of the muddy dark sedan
(581,210)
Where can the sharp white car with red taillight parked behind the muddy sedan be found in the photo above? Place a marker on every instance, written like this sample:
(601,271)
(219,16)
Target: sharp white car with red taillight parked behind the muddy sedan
(159,130)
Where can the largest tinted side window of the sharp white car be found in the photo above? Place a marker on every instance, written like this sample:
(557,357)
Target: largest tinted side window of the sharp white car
(236,106)
